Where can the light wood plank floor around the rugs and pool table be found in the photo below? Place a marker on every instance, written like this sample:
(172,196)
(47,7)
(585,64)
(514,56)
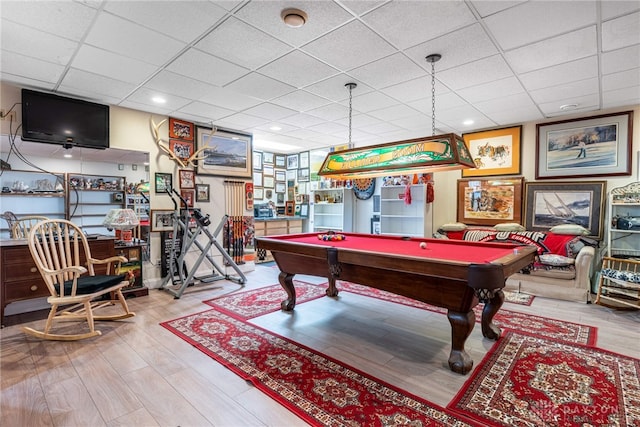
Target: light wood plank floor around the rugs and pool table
(139,374)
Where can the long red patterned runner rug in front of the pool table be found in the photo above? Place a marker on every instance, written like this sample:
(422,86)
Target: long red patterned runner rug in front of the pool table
(320,390)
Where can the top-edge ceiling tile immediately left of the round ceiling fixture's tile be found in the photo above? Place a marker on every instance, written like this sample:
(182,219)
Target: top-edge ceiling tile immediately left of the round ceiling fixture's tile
(170,17)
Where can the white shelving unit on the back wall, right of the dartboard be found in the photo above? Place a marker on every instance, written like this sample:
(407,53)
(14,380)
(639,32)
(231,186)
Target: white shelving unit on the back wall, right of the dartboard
(399,218)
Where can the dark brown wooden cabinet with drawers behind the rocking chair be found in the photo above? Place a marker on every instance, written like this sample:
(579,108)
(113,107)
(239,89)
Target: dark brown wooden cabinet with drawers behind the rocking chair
(21,279)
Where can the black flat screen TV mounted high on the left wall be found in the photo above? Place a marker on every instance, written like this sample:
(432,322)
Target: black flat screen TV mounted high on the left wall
(67,121)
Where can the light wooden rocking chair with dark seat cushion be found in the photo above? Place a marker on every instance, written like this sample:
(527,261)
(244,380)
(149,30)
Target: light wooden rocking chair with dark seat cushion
(57,246)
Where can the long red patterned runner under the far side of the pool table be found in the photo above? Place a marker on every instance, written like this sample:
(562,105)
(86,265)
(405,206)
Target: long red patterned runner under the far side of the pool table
(257,302)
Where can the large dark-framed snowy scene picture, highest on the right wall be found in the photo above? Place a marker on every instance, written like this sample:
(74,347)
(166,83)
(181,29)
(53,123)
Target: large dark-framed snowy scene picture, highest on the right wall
(591,146)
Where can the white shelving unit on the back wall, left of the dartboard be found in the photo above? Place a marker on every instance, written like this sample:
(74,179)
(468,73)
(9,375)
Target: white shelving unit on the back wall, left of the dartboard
(332,210)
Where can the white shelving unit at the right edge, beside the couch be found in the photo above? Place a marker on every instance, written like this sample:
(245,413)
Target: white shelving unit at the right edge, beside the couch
(624,204)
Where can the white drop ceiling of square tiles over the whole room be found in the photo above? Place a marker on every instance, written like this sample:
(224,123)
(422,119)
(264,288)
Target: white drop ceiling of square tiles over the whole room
(235,64)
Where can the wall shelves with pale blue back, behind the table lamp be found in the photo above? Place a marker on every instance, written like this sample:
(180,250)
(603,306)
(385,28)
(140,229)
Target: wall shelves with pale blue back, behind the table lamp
(91,197)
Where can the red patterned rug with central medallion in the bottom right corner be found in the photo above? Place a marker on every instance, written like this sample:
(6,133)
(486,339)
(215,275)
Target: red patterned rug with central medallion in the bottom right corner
(533,381)
